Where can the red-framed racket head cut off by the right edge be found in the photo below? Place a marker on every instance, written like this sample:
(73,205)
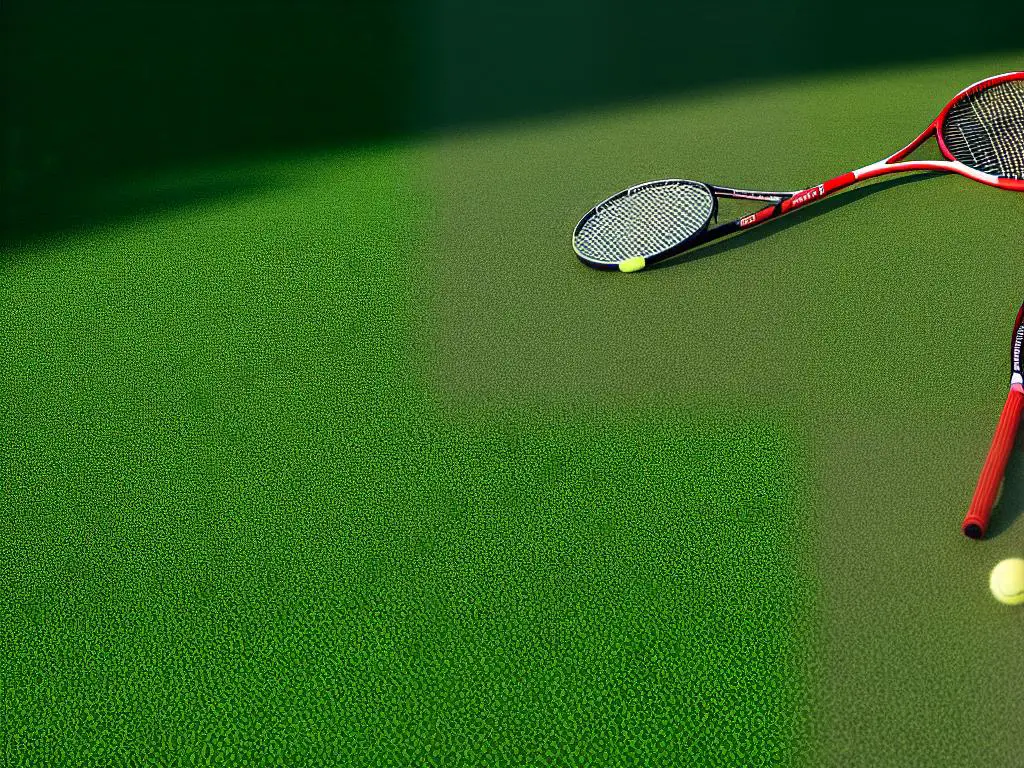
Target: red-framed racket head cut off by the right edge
(983,129)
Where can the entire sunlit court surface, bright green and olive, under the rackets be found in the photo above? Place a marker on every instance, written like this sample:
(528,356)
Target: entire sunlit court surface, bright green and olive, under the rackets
(357,465)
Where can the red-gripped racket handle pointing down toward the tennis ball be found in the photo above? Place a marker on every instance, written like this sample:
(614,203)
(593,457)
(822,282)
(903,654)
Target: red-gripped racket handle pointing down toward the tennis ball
(976,523)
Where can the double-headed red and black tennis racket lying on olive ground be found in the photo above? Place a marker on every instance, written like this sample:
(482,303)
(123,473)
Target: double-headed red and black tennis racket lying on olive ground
(980,134)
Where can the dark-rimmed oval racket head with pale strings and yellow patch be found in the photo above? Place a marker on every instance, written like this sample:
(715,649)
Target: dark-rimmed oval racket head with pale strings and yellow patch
(650,221)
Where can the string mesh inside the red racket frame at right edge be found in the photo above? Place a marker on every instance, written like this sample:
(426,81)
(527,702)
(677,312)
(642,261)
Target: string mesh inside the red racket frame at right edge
(986,131)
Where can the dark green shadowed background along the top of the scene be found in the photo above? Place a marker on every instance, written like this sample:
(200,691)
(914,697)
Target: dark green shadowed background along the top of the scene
(95,91)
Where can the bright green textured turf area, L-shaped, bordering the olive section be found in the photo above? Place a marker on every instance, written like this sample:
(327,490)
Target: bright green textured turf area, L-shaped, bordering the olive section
(240,528)
